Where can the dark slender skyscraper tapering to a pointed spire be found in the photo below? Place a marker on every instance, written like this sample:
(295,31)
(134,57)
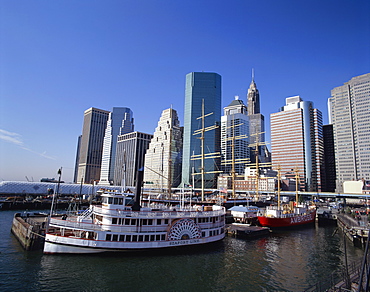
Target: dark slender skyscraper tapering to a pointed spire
(256,124)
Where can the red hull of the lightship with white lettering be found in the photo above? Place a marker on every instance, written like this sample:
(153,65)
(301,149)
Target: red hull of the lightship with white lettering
(285,222)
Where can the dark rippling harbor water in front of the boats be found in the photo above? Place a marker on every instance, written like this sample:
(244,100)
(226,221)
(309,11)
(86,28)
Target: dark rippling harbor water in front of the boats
(291,260)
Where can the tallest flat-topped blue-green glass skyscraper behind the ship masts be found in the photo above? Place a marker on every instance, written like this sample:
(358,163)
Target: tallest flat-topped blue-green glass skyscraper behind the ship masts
(201,88)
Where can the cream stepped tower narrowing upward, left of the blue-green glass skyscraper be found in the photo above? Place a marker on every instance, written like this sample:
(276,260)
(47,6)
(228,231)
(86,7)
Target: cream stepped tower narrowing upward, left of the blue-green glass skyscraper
(162,165)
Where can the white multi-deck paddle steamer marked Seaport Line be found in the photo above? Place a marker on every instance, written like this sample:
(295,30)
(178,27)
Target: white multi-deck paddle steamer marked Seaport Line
(113,226)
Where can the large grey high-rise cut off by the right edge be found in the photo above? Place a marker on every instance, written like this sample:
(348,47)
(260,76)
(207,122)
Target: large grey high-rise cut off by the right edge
(349,112)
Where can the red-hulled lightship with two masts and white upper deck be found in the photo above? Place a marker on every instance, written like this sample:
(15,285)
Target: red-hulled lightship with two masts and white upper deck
(290,215)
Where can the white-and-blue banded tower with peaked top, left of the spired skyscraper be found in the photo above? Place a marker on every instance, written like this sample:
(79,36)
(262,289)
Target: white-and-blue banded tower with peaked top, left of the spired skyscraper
(234,137)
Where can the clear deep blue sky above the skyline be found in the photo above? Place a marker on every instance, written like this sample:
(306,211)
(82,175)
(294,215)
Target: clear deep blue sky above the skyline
(59,58)
